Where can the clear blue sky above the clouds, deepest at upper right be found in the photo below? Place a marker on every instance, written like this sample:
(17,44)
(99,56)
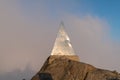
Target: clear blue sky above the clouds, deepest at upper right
(108,10)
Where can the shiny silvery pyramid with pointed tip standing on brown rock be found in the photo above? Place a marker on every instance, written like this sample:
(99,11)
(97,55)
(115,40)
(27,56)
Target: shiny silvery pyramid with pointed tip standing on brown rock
(62,44)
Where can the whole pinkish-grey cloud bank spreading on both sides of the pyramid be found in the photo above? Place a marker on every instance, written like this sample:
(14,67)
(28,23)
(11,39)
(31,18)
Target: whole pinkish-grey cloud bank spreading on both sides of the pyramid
(28,39)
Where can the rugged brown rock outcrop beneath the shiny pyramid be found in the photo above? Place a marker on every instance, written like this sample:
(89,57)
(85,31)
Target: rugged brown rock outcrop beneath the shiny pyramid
(59,68)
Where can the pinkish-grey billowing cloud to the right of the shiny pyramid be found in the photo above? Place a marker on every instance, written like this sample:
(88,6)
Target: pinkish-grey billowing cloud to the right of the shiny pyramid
(93,43)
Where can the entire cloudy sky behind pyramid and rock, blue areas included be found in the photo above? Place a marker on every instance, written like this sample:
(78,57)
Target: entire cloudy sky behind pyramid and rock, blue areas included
(28,30)
